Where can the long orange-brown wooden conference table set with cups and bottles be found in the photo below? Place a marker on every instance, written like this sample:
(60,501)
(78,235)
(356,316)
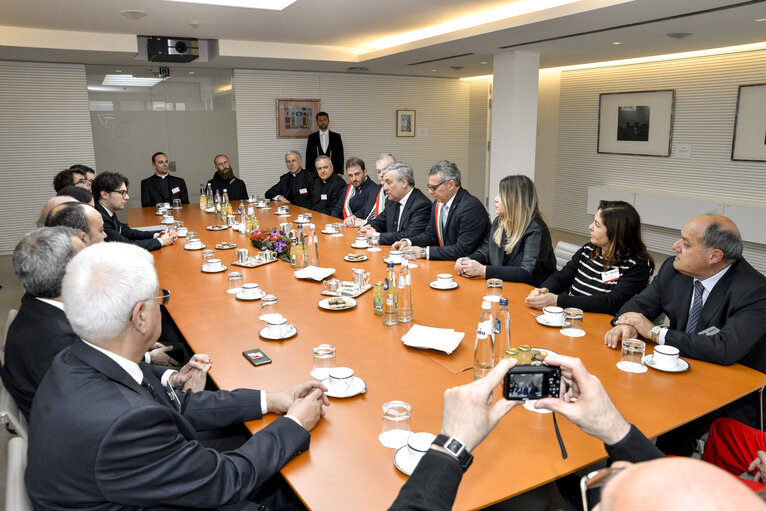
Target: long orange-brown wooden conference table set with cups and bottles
(346,467)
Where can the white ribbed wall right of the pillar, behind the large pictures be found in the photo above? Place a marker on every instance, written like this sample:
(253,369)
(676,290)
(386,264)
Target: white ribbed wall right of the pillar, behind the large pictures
(706,97)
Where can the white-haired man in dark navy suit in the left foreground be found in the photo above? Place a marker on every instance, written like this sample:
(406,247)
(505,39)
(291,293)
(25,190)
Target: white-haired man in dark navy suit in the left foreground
(107,433)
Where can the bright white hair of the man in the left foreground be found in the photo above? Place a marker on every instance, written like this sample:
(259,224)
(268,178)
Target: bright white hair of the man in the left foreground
(101,286)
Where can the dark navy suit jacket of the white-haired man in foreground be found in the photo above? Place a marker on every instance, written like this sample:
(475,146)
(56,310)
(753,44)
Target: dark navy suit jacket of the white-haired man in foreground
(99,441)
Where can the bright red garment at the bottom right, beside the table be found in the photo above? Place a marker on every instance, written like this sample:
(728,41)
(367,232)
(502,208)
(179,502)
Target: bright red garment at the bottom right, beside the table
(732,446)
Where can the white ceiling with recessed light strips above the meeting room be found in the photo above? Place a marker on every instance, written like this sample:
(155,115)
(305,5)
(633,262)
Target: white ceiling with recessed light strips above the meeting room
(333,35)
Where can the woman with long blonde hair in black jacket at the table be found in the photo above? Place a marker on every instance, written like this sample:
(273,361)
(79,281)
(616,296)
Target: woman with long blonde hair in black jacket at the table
(518,247)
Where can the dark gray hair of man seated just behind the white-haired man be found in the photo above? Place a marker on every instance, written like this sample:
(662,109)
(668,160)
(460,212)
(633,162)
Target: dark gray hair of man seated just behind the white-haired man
(40,258)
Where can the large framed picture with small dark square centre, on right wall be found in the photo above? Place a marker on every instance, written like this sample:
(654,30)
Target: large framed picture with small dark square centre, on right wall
(636,122)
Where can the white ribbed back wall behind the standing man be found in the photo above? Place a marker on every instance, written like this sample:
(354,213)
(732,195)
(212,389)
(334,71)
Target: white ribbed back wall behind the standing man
(362,109)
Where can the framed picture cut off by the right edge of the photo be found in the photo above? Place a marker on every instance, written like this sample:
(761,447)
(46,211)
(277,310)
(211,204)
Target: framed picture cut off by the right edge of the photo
(749,142)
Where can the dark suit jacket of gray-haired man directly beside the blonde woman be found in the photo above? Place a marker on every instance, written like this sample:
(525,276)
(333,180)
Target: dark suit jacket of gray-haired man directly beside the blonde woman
(467,226)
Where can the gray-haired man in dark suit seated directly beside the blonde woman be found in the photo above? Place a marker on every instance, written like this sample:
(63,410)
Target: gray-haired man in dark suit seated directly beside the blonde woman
(458,224)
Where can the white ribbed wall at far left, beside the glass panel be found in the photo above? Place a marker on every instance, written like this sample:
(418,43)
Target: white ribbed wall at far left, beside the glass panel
(44,128)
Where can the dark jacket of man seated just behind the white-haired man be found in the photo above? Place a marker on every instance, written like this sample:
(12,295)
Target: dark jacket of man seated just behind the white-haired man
(35,337)
